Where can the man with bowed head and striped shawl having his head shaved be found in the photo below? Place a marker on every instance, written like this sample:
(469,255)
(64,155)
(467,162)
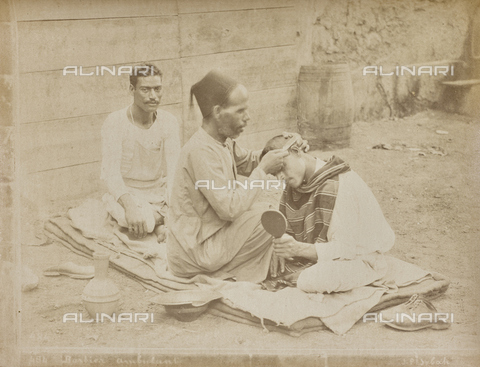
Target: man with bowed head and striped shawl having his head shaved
(334,221)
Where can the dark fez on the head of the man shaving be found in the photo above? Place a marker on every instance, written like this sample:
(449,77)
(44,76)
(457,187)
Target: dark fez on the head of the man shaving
(212,90)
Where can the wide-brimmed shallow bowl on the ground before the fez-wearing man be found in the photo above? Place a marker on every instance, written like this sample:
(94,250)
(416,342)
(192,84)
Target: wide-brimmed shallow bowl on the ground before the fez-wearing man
(186,305)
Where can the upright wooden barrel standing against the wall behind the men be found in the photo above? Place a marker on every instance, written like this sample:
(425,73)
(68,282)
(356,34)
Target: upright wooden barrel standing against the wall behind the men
(325,105)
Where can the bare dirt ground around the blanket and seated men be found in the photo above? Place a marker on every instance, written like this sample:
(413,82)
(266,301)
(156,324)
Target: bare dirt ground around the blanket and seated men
(431,201)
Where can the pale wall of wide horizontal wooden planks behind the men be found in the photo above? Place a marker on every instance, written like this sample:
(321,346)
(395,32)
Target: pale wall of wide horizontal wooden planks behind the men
(61,116)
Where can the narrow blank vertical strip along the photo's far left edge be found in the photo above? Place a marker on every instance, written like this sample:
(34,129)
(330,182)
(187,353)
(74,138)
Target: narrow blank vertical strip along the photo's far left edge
(9,212)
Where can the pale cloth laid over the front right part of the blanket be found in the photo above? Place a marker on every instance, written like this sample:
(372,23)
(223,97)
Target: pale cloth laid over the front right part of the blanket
(339,311)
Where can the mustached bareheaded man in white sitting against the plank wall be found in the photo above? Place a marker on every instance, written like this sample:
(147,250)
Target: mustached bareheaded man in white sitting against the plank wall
(140,148)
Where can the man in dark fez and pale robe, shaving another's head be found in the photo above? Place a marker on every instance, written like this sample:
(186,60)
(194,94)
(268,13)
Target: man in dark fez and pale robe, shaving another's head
(218,231)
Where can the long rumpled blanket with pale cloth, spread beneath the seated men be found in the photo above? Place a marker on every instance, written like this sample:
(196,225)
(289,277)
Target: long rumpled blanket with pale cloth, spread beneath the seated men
(144,261)
